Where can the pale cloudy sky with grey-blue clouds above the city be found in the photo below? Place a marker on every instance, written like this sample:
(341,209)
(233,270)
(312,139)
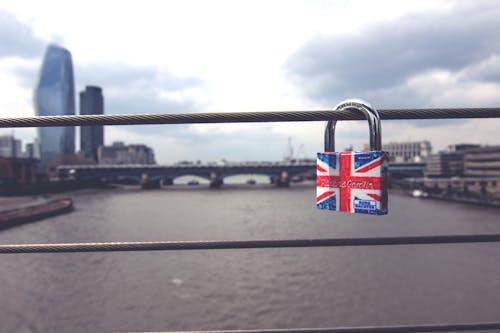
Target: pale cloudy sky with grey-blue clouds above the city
(235,56)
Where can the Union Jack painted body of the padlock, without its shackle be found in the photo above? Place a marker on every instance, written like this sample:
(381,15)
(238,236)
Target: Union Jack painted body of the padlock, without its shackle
(353,181)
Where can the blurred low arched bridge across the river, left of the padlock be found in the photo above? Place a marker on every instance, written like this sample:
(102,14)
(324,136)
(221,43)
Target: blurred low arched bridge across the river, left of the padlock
(152,176)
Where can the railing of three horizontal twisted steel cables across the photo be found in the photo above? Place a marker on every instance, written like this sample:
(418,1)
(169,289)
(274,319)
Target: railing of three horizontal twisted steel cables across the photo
(300,115)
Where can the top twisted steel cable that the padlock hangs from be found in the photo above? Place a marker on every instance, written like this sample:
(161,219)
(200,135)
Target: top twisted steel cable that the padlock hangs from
(242,117)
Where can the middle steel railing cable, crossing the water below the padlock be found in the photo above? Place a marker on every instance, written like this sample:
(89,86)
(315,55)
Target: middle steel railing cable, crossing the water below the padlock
(243,244)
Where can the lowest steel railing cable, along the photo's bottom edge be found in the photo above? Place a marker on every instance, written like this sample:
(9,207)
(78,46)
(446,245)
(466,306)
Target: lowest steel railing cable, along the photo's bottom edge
(364,329)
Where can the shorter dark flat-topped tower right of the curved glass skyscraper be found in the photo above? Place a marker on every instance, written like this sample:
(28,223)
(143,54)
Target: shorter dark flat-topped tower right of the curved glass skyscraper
(91,137)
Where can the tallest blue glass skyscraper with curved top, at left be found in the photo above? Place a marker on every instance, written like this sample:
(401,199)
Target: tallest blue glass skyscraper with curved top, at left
(55,96)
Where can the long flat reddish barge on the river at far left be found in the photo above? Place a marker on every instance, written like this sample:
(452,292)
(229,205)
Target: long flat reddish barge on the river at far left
(12,217)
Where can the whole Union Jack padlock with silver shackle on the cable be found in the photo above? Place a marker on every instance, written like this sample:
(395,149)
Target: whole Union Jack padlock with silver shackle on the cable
(353,181)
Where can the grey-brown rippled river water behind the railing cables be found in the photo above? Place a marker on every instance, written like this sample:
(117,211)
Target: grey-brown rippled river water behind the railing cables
(247,289)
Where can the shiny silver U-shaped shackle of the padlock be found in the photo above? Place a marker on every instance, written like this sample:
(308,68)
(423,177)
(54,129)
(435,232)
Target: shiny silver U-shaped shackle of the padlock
(371,114)
